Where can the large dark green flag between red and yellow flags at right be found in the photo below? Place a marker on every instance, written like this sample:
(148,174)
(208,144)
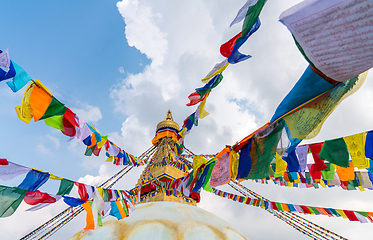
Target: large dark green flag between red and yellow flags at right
(335,151)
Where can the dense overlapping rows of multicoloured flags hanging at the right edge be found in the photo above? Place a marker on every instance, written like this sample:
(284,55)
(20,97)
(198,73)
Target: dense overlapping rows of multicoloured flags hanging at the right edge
(329,166)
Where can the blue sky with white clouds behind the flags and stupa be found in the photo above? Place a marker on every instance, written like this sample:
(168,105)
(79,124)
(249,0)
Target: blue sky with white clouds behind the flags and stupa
(121,65)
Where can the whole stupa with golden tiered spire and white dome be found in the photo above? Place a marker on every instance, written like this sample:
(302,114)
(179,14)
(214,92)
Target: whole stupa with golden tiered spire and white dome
(159,215)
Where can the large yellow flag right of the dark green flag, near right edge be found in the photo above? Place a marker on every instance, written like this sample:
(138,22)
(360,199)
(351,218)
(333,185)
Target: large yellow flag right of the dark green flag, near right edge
(356,147)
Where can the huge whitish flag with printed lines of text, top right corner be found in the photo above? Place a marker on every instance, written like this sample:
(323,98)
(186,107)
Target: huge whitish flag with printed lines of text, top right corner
(335,35)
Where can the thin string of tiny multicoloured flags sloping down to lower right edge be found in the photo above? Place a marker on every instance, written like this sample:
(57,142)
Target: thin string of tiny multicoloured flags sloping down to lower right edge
(351,215)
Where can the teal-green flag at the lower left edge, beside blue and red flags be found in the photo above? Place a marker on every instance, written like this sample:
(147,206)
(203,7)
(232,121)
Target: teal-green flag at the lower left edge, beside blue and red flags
(10,198)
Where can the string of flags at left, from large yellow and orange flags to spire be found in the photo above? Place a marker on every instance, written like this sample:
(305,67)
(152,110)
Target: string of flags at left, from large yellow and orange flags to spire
(39,103)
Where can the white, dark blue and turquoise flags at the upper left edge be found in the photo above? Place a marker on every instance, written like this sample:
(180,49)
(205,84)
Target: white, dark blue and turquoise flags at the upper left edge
(19,77)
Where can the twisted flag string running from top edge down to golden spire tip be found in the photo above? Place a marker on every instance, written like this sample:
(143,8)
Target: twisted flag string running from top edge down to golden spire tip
(250,14)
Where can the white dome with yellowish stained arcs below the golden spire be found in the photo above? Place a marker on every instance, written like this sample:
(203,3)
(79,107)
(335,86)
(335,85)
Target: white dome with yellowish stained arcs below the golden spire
(165,221)
